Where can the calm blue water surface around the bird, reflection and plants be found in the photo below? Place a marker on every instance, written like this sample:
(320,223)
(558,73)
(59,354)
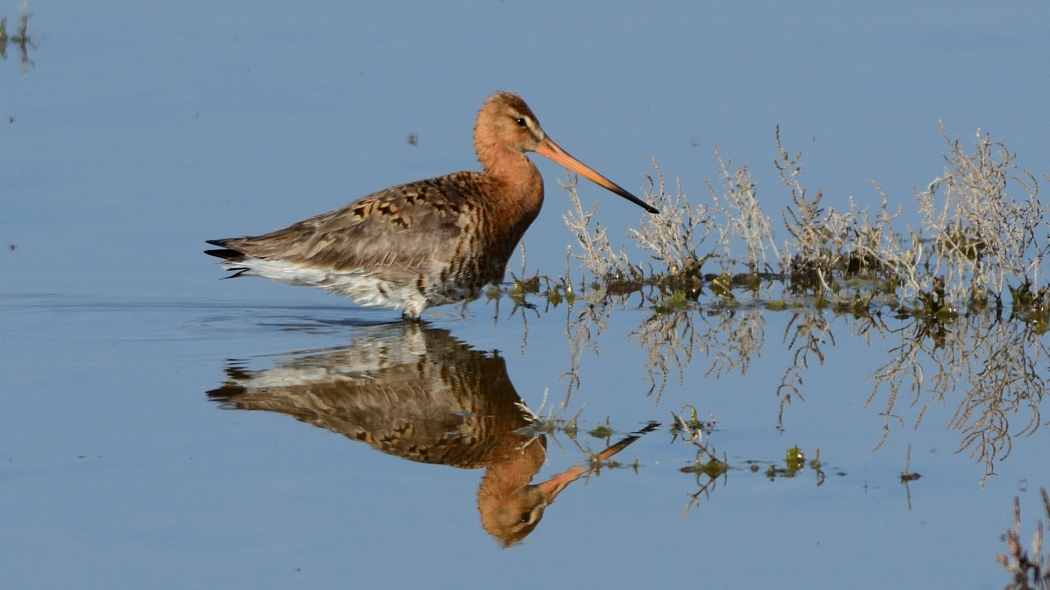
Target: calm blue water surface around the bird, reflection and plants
(142,132)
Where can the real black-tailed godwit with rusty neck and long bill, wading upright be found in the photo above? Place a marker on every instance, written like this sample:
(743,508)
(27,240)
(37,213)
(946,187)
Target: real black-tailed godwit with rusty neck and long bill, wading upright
(428,243)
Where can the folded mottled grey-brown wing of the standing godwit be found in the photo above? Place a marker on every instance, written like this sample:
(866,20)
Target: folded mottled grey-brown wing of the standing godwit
(403,227)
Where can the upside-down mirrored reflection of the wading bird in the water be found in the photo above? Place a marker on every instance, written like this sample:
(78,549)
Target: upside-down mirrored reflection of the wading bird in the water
(419,394)
